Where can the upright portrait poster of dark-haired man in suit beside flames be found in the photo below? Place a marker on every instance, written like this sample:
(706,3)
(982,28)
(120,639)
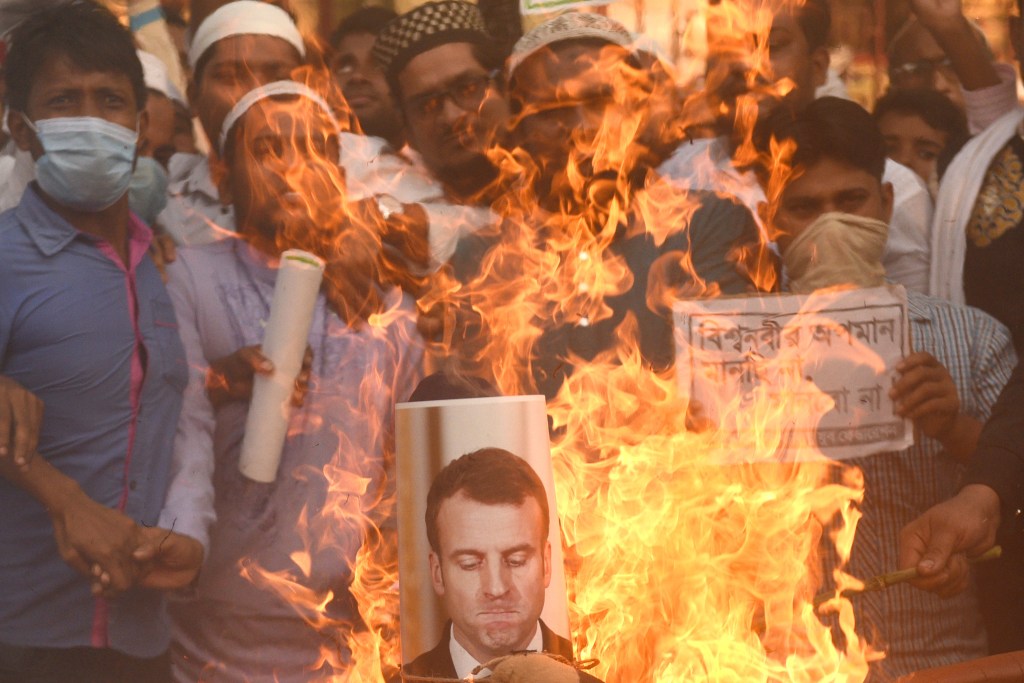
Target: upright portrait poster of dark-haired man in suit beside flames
(477,567)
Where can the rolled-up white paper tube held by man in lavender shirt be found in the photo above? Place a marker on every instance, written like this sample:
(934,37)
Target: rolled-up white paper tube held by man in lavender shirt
(284,344)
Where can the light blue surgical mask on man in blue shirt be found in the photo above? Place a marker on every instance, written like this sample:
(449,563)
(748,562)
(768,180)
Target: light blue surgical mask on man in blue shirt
(87,163)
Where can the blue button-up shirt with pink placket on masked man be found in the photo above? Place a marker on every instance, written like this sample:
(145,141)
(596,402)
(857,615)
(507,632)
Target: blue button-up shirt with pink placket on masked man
(98,343)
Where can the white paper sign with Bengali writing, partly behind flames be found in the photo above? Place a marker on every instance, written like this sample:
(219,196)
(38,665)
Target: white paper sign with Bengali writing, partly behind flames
(830,357)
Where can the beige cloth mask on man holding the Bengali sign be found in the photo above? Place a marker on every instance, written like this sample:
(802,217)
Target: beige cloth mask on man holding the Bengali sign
(837,249)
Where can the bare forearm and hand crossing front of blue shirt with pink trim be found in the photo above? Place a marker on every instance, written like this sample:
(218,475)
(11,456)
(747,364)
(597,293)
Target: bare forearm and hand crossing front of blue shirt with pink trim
(88,534)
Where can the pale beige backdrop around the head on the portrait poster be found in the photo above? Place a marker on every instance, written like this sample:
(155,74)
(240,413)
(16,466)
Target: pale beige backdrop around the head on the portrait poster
(432,435)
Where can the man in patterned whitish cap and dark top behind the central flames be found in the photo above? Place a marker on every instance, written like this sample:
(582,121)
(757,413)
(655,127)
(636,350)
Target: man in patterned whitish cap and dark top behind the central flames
(587,191)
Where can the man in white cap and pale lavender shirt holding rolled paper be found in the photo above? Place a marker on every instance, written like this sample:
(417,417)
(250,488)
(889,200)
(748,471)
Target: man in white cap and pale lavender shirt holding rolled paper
(280,146)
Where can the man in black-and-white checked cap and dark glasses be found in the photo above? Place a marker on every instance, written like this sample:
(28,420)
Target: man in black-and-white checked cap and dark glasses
(445,74)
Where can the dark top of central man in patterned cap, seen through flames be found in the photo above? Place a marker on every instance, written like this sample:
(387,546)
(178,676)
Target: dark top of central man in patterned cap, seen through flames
(714,238)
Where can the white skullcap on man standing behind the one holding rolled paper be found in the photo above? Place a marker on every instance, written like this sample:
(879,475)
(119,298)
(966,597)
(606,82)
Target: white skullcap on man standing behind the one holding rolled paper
(244,18)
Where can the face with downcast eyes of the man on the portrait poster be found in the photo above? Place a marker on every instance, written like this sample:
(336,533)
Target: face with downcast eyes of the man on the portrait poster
(492,571)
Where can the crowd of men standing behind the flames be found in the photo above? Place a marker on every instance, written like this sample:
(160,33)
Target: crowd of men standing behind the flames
(436,168)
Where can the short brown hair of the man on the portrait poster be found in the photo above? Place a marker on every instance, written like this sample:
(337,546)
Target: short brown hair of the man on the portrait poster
(492,477)
